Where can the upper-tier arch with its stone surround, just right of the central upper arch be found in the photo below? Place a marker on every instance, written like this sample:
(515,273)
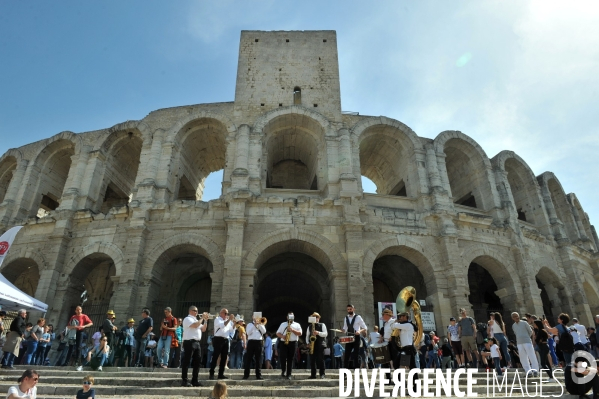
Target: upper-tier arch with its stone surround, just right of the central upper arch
(387,155)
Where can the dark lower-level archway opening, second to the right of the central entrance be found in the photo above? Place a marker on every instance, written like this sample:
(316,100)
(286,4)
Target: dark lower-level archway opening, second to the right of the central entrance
(482,294)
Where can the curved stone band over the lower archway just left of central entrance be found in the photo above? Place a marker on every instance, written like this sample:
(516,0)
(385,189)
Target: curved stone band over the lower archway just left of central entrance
(205,246)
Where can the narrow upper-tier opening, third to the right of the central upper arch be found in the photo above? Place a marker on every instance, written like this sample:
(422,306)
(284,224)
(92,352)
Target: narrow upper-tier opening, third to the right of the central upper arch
(523,190)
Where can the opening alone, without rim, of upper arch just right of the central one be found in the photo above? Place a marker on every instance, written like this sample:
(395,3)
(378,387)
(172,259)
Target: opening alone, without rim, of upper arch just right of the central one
(385,157)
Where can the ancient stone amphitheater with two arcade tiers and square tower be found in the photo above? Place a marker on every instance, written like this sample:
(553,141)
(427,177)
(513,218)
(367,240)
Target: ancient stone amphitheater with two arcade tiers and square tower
(118,212)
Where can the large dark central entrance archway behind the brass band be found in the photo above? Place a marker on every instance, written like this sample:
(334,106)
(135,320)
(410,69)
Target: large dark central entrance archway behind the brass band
(292,281)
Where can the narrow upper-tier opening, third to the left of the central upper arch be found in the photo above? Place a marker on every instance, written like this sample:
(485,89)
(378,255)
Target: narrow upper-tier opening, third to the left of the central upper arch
(54,164)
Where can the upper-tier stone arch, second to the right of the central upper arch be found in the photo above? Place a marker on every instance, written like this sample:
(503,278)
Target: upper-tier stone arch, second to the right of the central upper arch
(467,169)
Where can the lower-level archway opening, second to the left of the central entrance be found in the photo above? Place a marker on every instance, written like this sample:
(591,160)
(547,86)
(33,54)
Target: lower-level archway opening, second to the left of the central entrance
(94,276)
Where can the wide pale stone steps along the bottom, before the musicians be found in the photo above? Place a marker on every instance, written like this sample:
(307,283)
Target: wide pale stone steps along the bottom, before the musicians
(141,383)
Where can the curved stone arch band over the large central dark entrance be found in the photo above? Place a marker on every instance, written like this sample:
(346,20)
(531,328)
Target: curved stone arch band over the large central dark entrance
(327,253)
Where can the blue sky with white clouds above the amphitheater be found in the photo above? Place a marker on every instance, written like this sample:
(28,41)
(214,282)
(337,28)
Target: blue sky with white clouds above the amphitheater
(514,75)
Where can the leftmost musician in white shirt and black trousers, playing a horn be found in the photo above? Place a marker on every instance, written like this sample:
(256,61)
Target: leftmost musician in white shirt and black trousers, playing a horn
(192,335)
